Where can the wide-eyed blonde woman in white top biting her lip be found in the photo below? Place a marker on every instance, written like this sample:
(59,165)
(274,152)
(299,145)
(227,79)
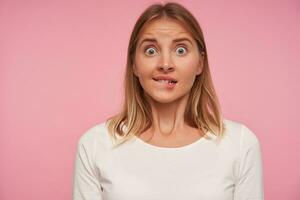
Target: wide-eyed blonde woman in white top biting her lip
(170,141)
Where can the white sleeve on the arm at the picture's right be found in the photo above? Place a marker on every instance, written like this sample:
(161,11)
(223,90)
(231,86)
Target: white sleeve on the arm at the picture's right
(249,183)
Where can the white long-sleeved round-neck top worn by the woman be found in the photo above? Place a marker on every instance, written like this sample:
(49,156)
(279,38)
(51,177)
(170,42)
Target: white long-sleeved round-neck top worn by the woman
(136,170)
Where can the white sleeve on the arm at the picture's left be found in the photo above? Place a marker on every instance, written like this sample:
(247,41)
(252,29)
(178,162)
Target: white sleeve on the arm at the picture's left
(85,183)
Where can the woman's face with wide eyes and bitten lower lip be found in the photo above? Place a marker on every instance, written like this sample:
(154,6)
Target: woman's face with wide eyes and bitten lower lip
(166,50)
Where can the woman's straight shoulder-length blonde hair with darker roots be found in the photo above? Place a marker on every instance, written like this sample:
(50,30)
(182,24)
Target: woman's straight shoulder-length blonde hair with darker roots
(203,109)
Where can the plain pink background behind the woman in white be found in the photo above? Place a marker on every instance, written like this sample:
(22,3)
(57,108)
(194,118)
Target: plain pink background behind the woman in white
(62,65)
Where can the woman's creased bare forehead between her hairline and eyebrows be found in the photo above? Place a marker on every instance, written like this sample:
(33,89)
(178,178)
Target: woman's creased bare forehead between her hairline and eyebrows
(164,27)
